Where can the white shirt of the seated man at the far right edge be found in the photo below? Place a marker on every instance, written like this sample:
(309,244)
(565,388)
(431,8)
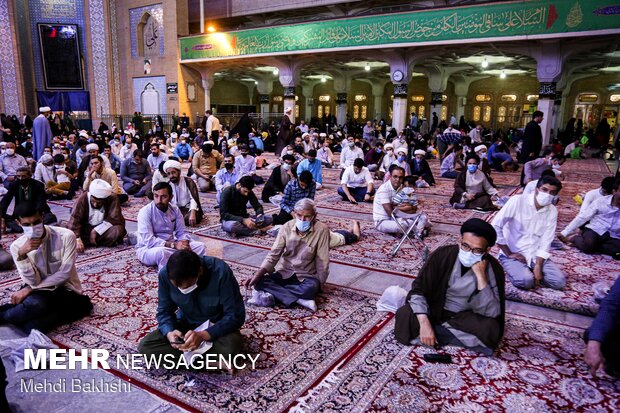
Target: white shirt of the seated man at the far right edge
(602,215)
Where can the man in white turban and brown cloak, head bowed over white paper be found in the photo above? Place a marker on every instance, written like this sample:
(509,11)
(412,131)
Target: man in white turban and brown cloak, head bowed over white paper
(96,218)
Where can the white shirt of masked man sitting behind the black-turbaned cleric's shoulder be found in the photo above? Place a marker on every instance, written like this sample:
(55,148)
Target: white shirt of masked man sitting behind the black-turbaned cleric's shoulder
(524,229)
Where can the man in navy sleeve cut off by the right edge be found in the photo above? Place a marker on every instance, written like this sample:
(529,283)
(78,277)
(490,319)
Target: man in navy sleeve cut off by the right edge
(603,336)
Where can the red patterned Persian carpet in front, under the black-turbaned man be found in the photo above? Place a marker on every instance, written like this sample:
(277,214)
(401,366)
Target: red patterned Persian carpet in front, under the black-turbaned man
(538,368)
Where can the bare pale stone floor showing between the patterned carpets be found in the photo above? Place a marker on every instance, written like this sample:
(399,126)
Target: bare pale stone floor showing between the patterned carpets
(142,401)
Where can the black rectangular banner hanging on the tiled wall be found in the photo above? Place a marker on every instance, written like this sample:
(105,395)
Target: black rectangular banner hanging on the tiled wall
(60,52)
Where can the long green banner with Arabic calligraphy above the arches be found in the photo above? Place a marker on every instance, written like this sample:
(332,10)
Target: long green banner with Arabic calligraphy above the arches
(476,22)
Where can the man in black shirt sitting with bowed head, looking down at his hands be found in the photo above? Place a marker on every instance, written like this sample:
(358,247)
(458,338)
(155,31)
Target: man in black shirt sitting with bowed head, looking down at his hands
(234,213)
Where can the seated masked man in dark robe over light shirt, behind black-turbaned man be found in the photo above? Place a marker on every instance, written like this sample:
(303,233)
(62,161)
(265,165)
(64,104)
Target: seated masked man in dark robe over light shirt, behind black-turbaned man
(472,188)
